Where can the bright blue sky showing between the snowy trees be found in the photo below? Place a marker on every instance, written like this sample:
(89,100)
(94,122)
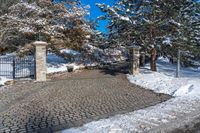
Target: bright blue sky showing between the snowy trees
(95,12)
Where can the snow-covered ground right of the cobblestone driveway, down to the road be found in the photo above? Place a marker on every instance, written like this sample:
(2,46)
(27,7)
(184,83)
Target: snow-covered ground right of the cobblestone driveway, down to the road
(174,113)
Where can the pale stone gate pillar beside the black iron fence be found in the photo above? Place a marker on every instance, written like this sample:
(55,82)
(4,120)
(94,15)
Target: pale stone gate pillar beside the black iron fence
(40,60)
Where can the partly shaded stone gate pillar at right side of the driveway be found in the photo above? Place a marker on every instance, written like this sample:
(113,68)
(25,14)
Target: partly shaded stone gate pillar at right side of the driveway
(134,53)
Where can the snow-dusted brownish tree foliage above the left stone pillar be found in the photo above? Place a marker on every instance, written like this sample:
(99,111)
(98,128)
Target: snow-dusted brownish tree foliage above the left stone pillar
(52,20)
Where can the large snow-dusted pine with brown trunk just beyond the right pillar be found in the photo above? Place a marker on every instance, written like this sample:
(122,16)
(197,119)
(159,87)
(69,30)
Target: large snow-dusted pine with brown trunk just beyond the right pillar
(139,22)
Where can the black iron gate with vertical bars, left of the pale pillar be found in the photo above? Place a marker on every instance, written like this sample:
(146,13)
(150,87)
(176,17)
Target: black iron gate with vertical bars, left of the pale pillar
(13,67)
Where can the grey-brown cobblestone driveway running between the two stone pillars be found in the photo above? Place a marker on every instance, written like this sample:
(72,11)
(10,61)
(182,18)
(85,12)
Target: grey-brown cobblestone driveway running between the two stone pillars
(72,101)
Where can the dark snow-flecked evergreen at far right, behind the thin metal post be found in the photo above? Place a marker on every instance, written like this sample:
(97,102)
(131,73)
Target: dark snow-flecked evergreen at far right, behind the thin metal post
(185,27)
